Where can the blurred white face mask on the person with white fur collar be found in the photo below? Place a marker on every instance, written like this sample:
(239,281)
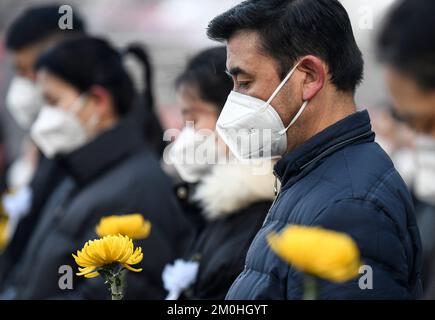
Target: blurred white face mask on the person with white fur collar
(193,154)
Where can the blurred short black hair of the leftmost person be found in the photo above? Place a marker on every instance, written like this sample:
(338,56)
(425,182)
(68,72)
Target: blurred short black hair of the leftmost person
(38,24)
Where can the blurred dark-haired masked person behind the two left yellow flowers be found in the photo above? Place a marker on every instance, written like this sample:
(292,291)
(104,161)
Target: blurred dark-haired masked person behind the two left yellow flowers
(110,171)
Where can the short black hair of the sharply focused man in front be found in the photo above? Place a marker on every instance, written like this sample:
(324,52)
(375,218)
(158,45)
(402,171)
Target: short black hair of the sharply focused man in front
(290,29)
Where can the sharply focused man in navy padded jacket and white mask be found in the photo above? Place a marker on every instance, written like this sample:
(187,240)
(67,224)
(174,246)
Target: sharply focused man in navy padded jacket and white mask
(295,66)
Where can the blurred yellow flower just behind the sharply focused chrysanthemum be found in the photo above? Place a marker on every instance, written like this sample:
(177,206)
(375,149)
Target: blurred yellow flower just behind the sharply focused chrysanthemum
(133,225)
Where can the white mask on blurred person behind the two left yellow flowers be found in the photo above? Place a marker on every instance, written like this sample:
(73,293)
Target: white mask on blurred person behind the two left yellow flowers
(57,131)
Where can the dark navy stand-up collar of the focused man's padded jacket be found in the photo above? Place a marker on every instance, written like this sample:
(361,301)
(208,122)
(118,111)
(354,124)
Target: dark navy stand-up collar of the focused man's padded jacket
(353,129)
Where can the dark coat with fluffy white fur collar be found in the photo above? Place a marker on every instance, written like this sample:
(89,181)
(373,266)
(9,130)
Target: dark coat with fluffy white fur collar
(234,203)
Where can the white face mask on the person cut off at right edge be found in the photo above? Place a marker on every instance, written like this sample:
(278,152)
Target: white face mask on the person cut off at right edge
(424,186)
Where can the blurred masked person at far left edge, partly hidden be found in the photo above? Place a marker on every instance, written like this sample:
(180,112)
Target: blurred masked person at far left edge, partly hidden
(31,177)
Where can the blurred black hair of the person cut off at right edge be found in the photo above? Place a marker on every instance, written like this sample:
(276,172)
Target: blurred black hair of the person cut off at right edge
(406,40)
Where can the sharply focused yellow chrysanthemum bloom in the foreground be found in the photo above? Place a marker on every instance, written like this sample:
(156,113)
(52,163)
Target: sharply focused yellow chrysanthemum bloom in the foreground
(109,250)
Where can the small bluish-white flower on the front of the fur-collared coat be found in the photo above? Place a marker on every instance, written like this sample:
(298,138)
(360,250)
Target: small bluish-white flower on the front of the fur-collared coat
(179,276)
